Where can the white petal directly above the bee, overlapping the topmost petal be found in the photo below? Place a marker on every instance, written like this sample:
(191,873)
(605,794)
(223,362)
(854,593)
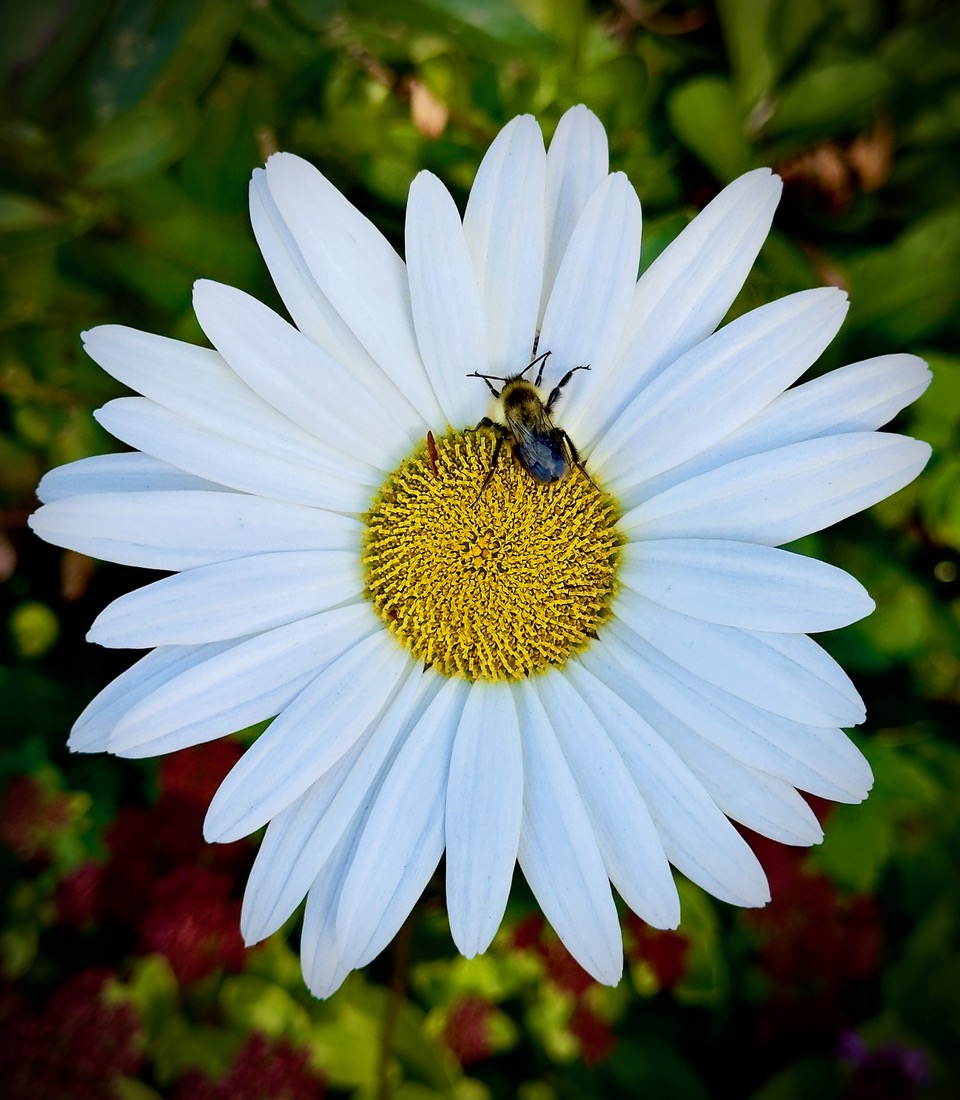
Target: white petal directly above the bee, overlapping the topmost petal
(589,304)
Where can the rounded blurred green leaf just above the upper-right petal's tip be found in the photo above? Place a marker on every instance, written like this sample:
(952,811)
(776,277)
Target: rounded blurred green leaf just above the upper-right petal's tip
(709,120)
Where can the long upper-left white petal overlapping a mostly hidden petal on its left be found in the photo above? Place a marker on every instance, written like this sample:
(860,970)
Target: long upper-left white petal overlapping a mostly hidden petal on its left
(358,271)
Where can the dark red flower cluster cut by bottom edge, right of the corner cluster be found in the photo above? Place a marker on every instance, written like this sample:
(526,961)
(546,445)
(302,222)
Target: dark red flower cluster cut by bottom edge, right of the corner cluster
(262,1071)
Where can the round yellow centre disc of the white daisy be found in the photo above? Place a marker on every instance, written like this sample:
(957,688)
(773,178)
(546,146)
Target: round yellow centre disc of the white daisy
(495,585)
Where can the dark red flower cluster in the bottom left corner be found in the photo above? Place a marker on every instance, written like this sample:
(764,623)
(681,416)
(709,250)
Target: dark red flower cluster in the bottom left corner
(74,1050)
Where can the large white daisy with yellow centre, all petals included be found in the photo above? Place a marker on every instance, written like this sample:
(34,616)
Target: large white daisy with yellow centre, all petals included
(591,677)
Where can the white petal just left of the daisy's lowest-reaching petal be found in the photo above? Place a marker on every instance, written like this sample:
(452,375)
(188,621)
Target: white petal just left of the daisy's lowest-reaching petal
(303,839)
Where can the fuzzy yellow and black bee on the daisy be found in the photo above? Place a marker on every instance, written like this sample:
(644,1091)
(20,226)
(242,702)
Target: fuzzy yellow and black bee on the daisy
(543,449)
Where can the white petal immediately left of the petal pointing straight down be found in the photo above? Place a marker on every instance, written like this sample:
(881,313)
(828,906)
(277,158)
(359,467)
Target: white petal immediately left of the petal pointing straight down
(403,840)
